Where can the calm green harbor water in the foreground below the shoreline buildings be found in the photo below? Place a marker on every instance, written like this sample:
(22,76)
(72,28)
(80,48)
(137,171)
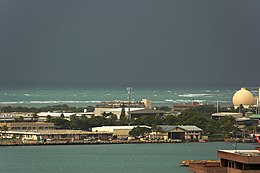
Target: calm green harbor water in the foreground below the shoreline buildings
(118,158)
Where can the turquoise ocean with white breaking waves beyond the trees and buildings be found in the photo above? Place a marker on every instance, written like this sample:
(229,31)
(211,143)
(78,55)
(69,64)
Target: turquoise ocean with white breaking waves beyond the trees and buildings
(90,96)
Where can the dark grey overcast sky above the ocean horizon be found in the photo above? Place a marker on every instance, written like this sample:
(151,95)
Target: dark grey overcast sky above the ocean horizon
(135,42)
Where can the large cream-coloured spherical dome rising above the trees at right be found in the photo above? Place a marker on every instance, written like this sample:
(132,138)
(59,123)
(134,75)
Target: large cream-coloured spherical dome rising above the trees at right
(243,97)
